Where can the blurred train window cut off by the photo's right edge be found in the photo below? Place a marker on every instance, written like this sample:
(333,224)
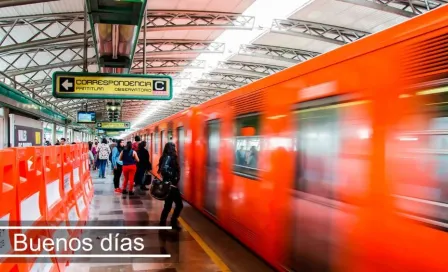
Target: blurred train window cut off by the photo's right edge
(421,144)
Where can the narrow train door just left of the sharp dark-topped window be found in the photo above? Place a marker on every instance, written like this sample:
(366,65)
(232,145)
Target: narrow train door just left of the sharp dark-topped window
(212,167)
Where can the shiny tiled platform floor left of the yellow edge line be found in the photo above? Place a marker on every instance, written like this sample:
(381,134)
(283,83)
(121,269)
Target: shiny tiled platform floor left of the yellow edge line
(111,209)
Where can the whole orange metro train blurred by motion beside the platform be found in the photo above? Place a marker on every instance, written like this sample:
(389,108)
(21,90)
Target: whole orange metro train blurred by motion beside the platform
(339,163)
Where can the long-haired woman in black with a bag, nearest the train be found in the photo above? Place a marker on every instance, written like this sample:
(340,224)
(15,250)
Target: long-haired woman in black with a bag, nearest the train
(170,170)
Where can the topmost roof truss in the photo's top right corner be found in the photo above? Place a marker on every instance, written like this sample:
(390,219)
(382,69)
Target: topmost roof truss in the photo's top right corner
(405,8)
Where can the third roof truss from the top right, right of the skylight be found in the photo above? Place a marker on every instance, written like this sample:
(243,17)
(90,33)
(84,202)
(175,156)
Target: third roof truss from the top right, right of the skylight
(276,53)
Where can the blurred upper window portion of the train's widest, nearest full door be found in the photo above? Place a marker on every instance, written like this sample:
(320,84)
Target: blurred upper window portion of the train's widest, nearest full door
(332,143)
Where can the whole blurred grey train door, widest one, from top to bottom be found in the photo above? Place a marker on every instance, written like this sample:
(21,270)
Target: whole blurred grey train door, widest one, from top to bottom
(332,139)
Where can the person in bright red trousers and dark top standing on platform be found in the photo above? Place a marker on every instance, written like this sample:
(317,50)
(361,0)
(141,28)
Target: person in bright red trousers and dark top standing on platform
(129,158)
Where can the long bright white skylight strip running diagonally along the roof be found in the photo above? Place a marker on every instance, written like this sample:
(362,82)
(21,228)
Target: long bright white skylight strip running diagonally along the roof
(264,11)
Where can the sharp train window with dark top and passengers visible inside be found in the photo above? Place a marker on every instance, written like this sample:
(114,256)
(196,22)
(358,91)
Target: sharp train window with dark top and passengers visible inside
(247,145)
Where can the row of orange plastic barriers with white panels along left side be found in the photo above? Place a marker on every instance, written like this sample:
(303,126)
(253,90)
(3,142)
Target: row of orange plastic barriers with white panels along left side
(42,187)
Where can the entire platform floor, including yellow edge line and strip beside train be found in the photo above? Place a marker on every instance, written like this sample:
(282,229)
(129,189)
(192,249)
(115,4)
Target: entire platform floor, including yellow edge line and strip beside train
(200,246)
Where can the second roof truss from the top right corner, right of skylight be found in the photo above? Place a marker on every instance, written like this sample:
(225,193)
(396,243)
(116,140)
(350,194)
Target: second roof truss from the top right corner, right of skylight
(317,31)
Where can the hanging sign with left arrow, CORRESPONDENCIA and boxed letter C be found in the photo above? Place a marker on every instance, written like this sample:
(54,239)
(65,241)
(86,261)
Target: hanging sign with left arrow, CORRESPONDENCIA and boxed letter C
(112,86)
